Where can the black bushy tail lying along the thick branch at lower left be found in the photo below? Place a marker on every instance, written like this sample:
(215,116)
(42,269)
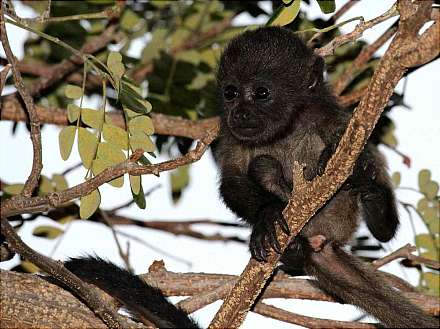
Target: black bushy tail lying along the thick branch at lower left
(144,301)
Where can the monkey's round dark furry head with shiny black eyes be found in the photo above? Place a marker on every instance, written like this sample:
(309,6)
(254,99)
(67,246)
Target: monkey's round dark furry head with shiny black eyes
(265,78)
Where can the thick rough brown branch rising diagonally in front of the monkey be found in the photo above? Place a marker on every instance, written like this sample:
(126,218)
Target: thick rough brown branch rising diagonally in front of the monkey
(308,197)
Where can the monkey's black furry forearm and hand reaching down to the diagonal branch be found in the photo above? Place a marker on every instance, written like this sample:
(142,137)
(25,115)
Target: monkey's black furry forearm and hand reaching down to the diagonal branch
(257,206)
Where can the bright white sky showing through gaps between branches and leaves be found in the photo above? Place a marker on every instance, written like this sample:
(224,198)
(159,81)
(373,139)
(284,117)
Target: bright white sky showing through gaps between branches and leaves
(418,133)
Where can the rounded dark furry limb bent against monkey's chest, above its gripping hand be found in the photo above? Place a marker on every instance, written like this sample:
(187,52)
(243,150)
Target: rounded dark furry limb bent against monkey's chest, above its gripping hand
(268,173)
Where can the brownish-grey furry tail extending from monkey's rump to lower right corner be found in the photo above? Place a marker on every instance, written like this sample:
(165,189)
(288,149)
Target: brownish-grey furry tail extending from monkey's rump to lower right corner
(346,278)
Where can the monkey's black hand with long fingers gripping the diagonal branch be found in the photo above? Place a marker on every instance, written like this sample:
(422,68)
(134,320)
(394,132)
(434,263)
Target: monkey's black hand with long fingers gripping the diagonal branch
(264,234)
